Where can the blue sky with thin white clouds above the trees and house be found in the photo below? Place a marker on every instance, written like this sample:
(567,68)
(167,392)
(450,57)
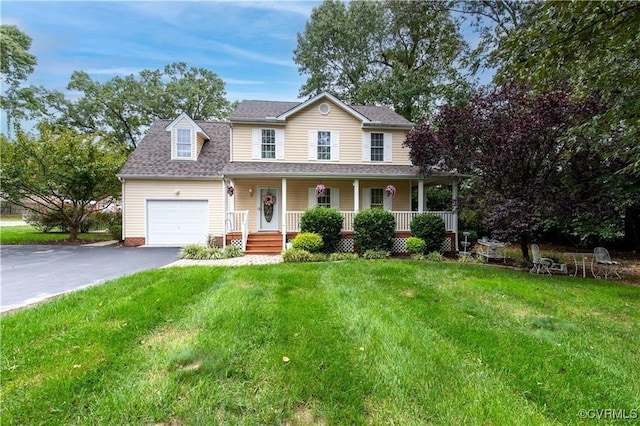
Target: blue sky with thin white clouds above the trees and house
(248,44)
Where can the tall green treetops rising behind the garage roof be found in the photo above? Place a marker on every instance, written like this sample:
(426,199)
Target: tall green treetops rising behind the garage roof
(124,107)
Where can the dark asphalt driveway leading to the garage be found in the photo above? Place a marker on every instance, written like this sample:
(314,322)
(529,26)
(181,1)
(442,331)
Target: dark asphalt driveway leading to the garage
(31,273)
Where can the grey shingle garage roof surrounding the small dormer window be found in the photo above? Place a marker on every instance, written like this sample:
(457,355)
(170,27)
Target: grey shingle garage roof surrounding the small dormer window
(152,157)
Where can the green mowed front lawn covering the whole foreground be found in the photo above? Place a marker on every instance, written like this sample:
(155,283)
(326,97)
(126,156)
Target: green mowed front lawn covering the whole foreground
(366,342)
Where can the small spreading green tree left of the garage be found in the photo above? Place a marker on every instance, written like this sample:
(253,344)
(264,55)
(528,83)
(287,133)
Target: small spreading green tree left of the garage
(60,172)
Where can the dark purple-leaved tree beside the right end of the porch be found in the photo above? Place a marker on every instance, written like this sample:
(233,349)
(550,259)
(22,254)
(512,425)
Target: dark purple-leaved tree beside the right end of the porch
(516,142)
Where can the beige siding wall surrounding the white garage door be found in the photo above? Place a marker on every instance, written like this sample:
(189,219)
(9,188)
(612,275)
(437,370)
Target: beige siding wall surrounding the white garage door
(137,192)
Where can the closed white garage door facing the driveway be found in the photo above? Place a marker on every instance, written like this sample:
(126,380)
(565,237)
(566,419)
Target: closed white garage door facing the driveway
(177,223)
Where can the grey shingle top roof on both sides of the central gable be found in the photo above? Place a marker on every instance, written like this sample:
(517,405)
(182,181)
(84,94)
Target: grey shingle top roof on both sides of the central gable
(260,110)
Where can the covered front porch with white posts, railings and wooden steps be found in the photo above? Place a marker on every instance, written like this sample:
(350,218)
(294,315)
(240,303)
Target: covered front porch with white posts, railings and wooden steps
(263,214)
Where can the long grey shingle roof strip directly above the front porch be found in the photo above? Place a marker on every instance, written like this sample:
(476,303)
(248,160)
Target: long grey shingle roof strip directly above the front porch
(246,168)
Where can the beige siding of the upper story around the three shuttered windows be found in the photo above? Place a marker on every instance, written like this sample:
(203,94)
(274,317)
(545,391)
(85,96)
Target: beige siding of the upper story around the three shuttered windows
(296,136)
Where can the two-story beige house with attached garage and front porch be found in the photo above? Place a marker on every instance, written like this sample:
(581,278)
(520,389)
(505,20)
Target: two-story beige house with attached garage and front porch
(248,181)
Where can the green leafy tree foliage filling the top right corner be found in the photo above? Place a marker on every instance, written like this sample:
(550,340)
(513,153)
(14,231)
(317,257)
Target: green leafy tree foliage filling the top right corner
(594,47)
